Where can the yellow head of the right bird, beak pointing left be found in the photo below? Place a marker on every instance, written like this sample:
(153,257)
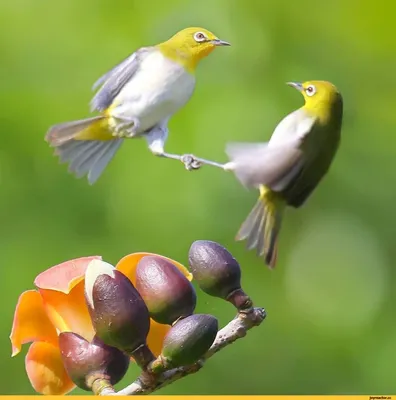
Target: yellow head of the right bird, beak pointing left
(322,98)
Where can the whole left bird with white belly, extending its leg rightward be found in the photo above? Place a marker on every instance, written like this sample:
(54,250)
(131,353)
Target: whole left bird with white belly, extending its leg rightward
(136,99)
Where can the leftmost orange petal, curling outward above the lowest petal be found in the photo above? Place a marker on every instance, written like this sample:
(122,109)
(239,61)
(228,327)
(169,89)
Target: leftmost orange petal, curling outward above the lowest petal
(31,323)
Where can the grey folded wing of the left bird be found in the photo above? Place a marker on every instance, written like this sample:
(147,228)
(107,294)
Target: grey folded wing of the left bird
(114,80)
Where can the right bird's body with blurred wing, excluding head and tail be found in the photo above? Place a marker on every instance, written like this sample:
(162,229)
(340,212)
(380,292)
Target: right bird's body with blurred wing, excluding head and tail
(293,162)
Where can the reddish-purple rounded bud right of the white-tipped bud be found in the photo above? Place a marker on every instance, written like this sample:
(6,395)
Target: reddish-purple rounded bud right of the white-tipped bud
(169,295)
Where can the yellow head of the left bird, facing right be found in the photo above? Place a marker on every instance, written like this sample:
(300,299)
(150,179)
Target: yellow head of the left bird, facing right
(189,46)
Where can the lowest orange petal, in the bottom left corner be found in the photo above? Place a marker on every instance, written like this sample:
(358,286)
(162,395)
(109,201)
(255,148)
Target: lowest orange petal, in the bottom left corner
(46,371)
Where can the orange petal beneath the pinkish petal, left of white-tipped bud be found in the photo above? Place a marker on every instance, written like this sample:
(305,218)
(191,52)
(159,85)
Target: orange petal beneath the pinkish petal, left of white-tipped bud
(68,312)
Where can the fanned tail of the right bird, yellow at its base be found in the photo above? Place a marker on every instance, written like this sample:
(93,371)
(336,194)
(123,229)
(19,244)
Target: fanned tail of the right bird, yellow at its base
(261,228)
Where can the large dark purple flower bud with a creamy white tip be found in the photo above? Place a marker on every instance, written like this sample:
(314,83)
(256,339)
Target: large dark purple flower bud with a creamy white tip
(118,313)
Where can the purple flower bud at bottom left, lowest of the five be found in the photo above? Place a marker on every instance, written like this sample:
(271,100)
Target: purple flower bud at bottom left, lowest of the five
(87,362)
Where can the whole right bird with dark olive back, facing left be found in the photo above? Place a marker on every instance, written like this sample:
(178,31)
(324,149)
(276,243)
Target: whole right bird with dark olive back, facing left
(290,165)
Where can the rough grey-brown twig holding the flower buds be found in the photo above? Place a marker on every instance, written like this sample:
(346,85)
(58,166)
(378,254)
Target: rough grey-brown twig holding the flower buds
(235,329)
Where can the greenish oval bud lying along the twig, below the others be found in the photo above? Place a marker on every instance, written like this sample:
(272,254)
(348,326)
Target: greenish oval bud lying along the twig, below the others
(187,341)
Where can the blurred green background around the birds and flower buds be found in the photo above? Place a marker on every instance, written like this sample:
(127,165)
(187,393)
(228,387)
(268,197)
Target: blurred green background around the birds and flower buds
(331,301)
